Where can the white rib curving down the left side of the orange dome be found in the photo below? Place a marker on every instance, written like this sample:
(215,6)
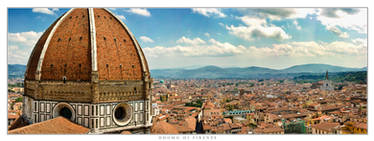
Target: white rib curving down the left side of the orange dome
(46,44)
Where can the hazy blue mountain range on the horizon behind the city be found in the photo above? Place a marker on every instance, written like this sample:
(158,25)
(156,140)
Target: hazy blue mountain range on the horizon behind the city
(214,72)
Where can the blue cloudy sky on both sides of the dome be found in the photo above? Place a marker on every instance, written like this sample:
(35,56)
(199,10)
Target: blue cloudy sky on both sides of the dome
(226,37)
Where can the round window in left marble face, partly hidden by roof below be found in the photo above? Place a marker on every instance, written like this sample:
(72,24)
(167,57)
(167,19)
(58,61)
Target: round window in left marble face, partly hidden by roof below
(65,110)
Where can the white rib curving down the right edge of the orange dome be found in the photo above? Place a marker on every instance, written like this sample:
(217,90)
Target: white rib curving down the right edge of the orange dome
(138,49)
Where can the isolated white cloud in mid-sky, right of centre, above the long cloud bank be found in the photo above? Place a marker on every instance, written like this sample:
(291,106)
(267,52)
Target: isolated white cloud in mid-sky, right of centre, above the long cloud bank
(257,28)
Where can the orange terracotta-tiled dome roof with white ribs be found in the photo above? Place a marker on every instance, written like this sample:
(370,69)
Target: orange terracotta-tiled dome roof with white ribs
(84,41)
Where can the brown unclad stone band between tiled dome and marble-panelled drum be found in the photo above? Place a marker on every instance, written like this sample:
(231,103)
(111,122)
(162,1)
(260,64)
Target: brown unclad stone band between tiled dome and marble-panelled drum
(109,91)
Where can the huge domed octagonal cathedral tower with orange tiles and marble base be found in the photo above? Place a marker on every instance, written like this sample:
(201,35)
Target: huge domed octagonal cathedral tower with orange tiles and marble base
(89,68)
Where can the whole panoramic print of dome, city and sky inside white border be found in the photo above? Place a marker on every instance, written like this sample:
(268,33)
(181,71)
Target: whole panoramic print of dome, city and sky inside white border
(187,71)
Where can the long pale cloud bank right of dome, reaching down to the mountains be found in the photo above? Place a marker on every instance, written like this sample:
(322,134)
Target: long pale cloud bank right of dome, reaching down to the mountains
(213,52)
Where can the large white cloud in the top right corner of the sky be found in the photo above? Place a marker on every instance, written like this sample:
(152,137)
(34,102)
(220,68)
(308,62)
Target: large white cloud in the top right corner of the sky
(355,20)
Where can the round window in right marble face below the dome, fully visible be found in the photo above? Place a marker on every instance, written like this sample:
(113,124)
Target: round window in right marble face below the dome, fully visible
(122,114)
